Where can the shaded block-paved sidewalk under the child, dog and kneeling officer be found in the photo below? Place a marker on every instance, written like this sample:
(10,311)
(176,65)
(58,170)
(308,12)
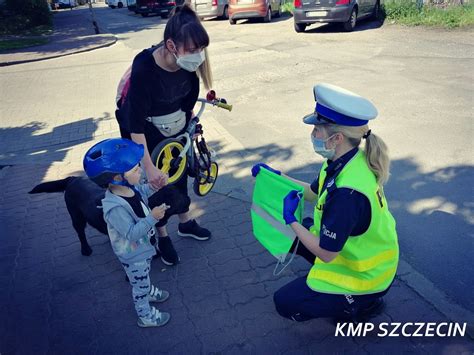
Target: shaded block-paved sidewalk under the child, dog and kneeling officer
(56,301)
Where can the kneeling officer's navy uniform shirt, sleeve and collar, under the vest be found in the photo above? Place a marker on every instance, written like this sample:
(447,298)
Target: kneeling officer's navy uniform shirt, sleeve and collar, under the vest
(347,212)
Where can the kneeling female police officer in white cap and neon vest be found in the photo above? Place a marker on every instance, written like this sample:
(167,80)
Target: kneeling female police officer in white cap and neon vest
(352,243)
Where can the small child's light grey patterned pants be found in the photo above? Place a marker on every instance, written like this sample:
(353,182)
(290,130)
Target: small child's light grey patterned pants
(138,274)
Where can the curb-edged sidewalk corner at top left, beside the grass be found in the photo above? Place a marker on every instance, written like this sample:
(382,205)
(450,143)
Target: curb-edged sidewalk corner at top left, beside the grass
(74,32)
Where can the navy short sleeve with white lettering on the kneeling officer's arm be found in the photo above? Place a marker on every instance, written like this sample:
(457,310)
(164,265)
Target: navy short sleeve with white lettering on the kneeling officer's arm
(346,213)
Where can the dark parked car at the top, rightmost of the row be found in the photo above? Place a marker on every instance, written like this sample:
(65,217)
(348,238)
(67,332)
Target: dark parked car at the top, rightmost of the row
(346,12)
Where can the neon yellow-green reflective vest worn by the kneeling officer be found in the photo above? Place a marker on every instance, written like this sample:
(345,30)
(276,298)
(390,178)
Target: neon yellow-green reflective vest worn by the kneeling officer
(368,262)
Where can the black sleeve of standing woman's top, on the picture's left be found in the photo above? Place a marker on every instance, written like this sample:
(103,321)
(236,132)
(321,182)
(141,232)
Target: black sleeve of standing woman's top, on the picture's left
(138,102)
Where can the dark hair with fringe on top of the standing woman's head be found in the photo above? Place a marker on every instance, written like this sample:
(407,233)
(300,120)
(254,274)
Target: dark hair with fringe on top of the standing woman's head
(185,29)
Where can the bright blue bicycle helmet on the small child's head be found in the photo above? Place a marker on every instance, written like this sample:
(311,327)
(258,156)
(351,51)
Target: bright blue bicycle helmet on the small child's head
(111,157)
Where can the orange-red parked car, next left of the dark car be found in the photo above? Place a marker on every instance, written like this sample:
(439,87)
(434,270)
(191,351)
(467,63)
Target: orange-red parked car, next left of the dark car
(245,9)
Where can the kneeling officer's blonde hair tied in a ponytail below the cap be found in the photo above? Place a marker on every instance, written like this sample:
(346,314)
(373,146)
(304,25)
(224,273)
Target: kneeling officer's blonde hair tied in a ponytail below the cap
(376,150)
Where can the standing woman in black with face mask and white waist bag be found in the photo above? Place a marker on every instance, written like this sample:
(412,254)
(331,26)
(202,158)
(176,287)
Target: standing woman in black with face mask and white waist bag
(157,102)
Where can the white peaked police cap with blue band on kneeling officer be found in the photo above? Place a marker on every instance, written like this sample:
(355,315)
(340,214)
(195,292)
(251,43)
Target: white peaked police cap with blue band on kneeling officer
(339,106)
